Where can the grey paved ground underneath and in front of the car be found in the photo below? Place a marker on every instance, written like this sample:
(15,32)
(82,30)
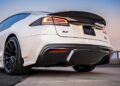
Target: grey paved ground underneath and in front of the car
(59,76)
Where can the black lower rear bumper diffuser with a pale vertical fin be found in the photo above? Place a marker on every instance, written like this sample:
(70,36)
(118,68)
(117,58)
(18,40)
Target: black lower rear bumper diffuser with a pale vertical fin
(77,54)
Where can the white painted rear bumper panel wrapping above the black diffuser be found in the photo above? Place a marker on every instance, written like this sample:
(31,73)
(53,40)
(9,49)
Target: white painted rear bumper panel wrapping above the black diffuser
(31,50)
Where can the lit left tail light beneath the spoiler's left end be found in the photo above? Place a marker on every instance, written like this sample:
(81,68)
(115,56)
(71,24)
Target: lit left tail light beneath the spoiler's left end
(54,20)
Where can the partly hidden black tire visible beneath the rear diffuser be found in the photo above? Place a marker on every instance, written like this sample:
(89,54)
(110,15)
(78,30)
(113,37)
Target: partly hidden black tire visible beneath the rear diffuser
(79,68)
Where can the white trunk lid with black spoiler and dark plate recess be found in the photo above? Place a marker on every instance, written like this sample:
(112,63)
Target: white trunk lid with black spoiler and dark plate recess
(81,25)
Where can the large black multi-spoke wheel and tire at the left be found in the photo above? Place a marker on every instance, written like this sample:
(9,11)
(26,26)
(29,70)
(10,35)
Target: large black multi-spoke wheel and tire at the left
(13,62)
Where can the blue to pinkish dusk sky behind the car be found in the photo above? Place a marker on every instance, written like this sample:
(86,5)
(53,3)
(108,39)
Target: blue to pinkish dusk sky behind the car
(108,9)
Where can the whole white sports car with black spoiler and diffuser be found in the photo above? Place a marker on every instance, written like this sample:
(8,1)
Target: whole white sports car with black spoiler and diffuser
(43,39)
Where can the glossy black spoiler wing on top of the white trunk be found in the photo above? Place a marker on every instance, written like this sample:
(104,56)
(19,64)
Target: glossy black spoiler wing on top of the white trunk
(81,16)
